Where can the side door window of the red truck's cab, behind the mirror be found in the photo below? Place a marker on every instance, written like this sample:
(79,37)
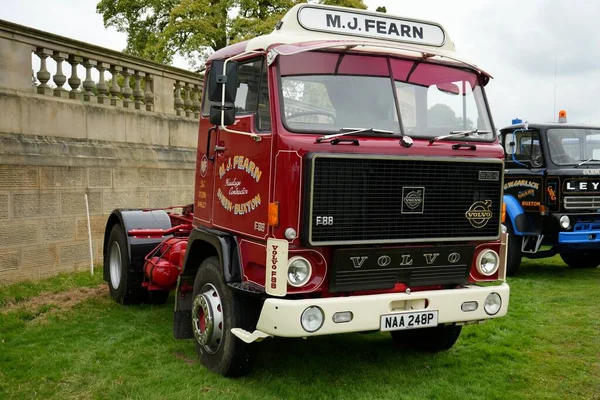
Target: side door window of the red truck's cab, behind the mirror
(253,93)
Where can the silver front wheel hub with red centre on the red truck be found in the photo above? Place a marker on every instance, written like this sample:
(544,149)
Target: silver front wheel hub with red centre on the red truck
(207,319)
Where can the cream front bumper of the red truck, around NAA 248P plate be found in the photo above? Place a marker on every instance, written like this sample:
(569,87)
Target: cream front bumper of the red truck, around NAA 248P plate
(281,317)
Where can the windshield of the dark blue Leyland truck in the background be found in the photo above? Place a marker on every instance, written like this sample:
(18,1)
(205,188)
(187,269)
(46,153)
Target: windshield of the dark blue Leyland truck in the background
(570,146)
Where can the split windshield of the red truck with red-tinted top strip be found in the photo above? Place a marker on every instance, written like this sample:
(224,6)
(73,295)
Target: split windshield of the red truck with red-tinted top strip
(326,92)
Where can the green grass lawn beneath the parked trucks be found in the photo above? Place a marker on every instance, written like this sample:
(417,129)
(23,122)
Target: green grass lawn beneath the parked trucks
(74,342)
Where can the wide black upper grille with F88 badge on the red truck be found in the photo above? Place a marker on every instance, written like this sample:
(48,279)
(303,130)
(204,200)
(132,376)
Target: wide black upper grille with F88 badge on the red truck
(359,199)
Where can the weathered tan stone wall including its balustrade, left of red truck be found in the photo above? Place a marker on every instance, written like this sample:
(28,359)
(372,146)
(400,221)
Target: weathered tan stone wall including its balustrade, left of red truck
(55,149)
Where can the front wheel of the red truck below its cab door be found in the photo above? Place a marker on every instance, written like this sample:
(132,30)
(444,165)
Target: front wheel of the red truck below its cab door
(218,349)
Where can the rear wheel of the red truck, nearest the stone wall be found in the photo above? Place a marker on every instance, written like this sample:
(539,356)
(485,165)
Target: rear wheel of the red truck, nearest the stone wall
(125,286)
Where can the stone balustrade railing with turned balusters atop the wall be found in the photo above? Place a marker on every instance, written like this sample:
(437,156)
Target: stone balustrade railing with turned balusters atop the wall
(144,85)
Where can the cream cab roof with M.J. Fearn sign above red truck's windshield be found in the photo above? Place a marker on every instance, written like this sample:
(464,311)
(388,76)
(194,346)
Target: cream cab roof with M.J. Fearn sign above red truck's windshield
(329,26)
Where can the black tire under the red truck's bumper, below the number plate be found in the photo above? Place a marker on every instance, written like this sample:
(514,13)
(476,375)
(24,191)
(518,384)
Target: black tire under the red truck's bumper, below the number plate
(431,340)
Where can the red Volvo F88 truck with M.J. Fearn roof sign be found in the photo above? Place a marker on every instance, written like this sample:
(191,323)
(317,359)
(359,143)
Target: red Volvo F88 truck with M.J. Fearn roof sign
(349,179)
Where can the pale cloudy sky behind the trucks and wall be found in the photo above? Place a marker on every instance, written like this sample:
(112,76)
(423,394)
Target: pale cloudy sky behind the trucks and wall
(544,55)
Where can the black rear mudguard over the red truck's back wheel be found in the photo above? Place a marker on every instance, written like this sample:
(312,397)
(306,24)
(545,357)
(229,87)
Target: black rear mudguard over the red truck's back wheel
(138,247)
